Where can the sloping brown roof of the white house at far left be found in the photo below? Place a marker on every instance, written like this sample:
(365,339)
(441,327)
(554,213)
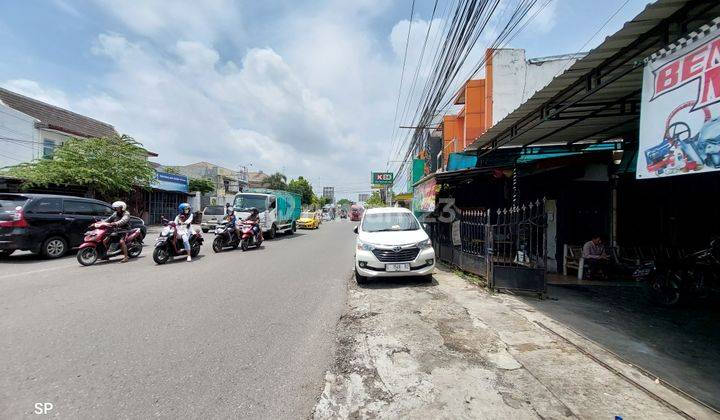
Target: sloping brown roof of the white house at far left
(56,118)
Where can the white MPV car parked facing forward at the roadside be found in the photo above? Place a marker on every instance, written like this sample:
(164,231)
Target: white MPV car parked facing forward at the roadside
(391,243)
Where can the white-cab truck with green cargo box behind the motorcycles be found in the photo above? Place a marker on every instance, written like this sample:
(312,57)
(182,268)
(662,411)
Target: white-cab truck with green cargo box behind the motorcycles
(279,210)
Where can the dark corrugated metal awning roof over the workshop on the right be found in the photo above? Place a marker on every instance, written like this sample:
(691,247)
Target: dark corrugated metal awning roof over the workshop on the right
(609,74)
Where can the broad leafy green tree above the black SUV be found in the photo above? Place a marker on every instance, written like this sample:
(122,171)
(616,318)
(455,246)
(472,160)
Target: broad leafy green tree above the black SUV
(106,166)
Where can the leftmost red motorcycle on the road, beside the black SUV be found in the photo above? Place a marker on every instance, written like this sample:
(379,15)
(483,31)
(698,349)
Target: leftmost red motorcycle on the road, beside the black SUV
(93,246)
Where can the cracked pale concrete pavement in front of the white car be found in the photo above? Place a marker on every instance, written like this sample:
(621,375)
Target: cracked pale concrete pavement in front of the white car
(452,350)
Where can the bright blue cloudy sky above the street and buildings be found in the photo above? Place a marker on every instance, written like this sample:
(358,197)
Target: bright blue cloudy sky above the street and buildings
(304,87)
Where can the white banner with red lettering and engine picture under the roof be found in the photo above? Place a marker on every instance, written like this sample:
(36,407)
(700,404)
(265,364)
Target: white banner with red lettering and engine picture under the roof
(679,118)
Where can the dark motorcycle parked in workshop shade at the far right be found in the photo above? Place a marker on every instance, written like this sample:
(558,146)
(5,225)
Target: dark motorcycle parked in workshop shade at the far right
(693,276)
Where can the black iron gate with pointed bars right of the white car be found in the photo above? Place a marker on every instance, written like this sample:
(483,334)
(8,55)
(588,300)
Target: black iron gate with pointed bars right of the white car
(508,247)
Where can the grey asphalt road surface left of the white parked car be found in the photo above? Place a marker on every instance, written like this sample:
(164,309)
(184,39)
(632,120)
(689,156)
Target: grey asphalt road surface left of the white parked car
(228,335)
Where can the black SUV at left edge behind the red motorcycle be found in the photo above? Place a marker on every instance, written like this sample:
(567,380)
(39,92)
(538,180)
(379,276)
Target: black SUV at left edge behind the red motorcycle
(49,224)
